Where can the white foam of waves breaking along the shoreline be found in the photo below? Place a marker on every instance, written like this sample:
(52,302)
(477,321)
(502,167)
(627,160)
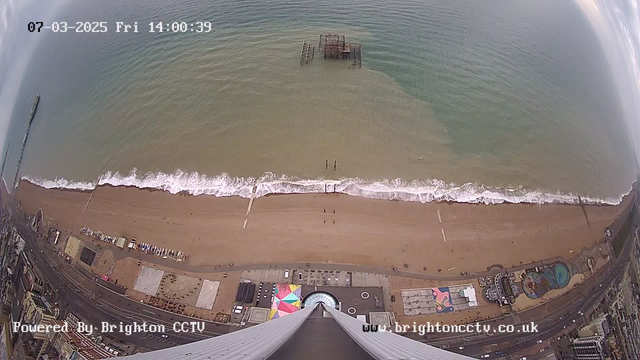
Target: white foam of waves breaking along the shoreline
(416,191)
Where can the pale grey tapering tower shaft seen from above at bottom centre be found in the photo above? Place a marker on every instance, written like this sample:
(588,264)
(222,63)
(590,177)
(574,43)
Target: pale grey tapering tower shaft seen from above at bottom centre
(305,334)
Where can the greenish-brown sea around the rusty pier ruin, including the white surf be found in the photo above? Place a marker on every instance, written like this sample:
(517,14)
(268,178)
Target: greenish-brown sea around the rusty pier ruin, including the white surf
(461,100)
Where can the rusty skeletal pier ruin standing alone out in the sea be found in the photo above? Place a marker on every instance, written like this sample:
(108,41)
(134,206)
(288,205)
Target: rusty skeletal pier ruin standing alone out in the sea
(333,46)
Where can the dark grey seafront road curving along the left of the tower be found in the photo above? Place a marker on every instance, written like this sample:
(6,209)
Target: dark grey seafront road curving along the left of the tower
(74,293)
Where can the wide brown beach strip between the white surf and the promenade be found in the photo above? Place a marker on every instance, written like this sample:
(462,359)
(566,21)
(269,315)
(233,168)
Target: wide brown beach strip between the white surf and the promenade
(330,228)
